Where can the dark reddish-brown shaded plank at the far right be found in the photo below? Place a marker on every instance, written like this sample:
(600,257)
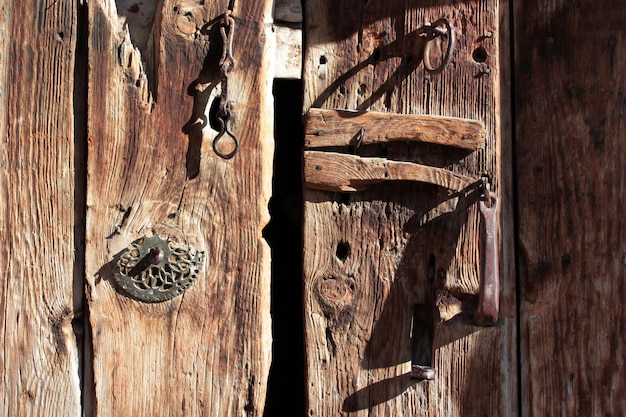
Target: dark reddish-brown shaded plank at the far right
(571,169)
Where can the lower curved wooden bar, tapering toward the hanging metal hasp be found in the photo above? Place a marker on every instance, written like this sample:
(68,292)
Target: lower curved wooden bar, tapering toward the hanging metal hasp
(332,171)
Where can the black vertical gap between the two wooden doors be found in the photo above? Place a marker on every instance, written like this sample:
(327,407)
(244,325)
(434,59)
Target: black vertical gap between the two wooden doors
(285,392)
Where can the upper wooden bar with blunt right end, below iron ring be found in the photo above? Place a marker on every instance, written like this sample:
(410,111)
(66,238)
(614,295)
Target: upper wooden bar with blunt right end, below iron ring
(343,128)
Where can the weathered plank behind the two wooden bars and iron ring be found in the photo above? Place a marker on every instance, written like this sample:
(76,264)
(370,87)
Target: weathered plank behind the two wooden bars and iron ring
(371,258)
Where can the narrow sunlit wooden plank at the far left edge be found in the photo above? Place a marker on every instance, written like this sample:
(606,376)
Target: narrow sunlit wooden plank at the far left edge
(38,355)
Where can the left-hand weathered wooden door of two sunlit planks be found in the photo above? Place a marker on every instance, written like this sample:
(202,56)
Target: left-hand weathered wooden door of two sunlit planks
(107,132)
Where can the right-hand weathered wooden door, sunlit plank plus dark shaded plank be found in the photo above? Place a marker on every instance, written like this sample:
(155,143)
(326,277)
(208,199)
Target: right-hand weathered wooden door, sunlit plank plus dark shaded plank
(372,258)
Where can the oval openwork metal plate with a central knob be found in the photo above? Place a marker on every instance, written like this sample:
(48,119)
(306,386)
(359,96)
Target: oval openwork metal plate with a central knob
(155,269)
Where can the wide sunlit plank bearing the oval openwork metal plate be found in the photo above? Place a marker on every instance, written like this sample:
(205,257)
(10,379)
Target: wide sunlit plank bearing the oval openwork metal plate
(152,169)
